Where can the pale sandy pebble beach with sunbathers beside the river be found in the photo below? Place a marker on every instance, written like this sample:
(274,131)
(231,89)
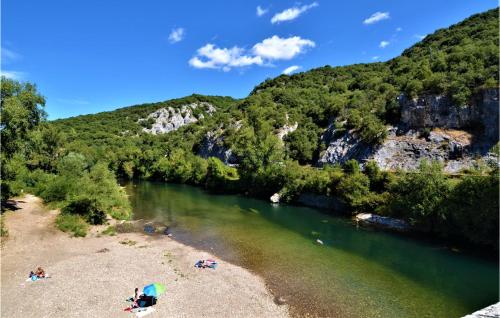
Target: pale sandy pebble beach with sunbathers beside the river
(92,276)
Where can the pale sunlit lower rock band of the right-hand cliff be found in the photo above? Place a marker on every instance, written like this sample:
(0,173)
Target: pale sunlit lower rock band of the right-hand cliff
(405,150)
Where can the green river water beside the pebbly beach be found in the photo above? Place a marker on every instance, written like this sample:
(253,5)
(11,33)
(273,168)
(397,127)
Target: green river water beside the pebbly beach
(356,273)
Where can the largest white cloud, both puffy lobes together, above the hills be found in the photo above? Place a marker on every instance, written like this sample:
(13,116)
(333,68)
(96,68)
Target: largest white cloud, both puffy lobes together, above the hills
(270,49)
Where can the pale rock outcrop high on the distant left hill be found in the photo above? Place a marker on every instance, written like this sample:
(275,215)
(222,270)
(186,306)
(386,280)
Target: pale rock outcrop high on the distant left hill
(169,119)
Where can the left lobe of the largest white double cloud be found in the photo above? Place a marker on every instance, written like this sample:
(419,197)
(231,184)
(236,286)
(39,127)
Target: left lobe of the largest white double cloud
(209,56)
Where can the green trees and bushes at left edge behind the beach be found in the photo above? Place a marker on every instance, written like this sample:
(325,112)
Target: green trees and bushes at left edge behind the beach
(34,159)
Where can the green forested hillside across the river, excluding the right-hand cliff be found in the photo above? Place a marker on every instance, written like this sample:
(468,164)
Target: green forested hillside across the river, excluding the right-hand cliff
(276,135)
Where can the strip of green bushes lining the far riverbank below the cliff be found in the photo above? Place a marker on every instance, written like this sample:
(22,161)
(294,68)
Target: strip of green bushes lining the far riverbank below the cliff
(462,209)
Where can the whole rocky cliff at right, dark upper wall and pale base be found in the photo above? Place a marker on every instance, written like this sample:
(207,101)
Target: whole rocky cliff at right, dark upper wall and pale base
(431,128)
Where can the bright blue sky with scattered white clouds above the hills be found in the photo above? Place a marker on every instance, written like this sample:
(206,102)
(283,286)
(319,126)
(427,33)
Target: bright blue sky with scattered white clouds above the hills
(91,56)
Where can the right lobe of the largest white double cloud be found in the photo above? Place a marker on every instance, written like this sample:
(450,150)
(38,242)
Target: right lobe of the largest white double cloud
(276,48)
